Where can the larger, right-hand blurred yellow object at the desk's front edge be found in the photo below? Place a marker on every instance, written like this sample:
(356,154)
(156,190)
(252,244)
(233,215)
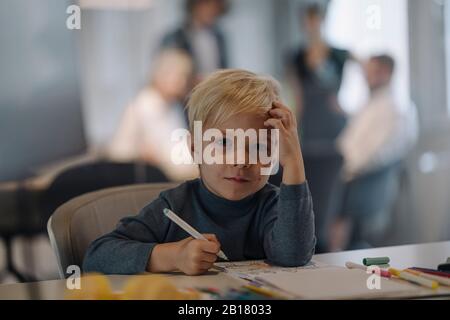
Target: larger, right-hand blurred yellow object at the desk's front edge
(154,287)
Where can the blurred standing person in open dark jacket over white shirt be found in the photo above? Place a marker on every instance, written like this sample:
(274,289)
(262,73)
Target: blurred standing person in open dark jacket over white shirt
(201,37)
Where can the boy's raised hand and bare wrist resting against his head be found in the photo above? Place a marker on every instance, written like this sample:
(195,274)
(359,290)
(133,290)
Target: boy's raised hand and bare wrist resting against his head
(290,155)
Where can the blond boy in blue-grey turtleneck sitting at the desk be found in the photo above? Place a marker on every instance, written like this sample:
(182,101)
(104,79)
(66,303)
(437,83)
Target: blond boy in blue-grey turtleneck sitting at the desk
(242,214)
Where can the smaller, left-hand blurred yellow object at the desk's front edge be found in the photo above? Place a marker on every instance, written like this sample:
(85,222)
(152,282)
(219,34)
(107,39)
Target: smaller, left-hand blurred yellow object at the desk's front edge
(93,286)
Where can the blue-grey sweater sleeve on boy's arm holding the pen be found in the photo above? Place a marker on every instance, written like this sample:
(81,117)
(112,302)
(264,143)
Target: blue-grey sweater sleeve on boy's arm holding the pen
(127,249)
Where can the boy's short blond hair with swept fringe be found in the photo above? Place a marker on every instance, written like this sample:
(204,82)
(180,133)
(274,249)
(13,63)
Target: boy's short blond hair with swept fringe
(229,92)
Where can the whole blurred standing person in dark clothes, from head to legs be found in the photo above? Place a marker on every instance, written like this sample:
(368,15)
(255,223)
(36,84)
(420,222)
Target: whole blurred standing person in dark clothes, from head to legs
(315,71)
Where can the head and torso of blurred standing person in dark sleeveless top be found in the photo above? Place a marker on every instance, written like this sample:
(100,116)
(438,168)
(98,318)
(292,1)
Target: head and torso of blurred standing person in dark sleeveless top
(316,72)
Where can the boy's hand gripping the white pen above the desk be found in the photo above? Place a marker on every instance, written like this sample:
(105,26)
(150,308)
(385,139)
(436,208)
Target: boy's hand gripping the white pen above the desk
(195,257)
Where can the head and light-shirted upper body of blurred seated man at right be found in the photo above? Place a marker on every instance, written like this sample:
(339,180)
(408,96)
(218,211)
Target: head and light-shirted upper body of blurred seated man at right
(380,134)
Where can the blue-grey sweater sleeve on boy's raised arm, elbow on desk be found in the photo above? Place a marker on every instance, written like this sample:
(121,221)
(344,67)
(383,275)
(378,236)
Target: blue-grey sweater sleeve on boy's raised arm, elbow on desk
(288,227)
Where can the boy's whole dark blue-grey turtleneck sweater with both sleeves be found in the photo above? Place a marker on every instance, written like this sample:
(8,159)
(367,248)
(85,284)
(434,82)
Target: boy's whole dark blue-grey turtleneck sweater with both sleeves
(276,224)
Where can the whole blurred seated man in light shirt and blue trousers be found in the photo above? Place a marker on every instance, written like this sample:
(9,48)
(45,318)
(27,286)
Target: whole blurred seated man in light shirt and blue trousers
(374,144)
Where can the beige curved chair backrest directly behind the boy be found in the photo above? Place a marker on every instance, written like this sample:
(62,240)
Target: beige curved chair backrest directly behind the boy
(78,222)
